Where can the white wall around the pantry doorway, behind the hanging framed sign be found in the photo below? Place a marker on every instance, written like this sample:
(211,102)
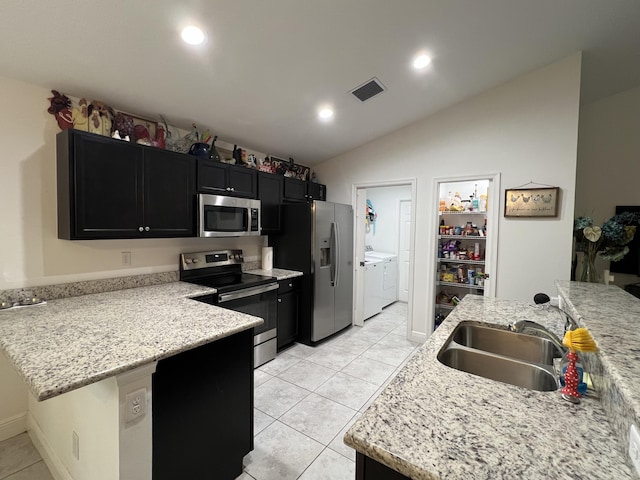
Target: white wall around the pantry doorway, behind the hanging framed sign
(527,130)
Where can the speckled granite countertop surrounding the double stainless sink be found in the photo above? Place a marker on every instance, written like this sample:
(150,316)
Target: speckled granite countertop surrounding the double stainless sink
(435,422)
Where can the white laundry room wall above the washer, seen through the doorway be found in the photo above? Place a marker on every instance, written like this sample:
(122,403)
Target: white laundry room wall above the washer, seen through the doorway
(384,237)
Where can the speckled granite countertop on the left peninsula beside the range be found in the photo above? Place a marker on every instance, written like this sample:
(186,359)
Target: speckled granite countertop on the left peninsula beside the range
(68,343)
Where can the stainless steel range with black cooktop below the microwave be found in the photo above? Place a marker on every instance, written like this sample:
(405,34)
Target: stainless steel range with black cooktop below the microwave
(243,292)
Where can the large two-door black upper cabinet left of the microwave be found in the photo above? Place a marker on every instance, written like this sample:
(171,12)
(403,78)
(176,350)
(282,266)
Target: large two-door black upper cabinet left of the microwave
(114,189)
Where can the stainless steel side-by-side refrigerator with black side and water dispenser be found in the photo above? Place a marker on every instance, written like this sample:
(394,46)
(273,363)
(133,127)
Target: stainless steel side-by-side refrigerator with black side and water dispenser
(317,239)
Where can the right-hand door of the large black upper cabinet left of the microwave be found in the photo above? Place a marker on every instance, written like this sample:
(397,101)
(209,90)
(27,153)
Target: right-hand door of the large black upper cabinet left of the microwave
(169,194)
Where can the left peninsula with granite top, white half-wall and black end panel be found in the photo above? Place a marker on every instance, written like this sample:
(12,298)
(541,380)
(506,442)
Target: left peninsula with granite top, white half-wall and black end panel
(89,362)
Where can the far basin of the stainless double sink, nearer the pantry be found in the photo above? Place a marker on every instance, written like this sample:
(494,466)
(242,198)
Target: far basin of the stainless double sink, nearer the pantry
(524,347)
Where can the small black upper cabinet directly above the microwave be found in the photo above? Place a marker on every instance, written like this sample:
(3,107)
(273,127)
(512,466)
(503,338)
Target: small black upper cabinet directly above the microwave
(217,178)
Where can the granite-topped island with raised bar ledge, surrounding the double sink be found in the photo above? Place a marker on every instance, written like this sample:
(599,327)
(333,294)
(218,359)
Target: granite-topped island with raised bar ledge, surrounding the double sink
(436,422)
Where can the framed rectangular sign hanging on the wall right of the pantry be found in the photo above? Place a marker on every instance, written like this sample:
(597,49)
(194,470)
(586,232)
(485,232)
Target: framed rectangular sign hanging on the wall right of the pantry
(531,202)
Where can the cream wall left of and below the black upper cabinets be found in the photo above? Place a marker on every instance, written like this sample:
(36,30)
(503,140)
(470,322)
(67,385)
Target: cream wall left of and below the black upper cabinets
(31,253)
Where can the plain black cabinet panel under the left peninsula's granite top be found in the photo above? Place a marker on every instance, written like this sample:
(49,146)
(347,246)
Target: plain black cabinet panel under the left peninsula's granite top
(202,408)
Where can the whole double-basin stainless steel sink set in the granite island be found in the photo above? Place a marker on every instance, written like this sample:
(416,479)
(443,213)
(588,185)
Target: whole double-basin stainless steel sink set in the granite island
(501,355)
